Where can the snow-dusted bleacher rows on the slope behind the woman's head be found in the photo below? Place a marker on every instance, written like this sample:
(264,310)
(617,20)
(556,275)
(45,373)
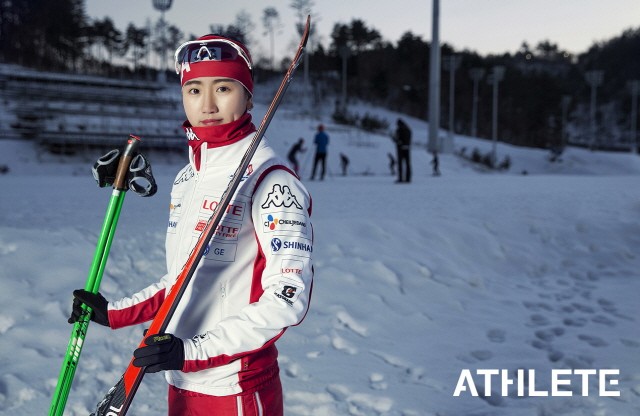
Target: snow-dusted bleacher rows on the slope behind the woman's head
(72,111)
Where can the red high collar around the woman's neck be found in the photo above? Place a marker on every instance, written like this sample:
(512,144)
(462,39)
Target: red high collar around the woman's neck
(216,136)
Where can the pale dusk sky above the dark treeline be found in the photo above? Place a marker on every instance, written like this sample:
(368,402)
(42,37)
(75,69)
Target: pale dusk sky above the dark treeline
(484,26)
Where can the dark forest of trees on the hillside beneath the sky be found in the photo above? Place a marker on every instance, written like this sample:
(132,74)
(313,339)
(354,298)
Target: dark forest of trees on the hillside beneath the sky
(545,94)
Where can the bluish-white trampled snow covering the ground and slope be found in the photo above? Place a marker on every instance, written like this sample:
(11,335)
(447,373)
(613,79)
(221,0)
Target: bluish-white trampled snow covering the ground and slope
(414,282)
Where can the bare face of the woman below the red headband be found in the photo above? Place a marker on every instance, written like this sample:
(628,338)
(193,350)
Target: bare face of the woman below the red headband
(211,101)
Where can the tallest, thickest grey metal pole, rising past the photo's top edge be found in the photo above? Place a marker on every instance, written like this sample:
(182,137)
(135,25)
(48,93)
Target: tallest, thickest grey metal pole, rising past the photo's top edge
(434,80)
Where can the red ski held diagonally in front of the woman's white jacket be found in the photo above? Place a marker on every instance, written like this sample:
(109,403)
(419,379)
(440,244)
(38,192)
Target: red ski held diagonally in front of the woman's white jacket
(119,397)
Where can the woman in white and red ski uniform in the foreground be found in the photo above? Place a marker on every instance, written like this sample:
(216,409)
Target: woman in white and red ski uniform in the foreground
(255,277)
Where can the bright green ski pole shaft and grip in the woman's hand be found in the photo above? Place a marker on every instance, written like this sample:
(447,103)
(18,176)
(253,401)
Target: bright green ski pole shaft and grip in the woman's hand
(79,331)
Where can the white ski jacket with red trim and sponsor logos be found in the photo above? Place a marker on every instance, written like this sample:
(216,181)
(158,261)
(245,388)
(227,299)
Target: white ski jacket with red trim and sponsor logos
(253,282)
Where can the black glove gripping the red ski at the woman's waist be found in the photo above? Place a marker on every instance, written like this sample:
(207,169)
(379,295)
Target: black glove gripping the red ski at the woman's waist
(163,352)
